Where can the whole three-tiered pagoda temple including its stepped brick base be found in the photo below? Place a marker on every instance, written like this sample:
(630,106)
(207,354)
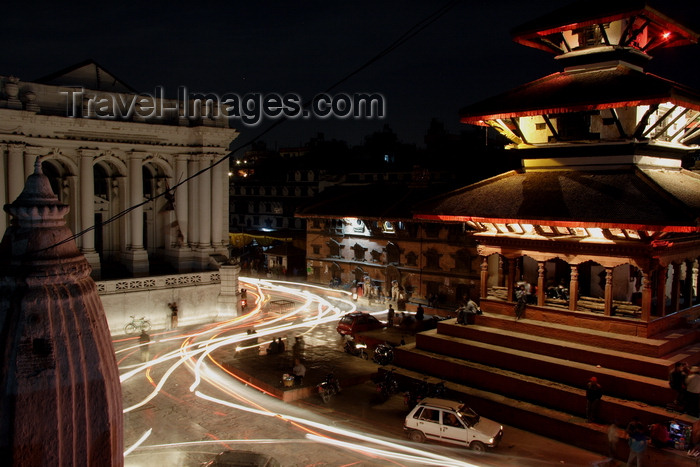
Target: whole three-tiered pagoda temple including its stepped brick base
(593,243)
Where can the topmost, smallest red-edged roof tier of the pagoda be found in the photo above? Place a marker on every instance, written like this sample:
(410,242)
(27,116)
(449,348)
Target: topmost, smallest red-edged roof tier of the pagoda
(593,12)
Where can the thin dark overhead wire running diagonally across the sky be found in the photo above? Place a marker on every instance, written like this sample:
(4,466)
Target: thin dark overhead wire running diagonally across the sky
(406,36)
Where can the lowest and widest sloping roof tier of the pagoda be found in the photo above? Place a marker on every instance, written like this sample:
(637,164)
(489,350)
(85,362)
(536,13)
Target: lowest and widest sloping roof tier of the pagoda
(638,199)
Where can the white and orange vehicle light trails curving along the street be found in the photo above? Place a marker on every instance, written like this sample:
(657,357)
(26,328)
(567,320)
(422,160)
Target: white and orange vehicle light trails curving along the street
(196,347)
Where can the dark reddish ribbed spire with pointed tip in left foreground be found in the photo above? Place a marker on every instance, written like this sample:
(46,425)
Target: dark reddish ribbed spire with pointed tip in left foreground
(61,395)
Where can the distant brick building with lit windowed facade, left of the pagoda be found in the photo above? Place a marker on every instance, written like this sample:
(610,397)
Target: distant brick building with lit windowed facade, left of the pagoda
(363,232)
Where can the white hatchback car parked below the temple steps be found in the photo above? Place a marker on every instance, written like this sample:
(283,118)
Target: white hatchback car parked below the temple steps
(451,422)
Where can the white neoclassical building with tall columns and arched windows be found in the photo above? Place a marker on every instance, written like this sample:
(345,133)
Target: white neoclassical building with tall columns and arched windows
(111,153)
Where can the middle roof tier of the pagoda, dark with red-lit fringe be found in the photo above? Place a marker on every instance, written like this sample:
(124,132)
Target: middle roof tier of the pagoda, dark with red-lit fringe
(566,92)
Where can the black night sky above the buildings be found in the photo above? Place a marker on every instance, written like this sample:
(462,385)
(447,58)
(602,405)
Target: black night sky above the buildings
(303,48)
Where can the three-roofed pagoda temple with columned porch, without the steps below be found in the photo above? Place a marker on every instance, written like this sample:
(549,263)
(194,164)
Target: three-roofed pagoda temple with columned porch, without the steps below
(602,218)
